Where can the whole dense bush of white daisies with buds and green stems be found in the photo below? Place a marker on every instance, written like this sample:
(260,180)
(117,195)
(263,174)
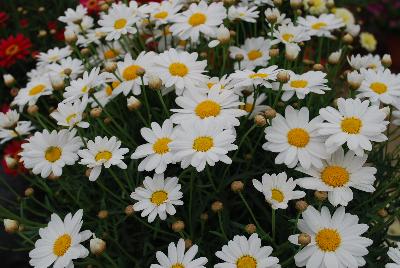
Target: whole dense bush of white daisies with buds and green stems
(163,105)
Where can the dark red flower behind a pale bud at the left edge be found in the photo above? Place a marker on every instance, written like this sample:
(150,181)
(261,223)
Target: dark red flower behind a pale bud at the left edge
(10,160)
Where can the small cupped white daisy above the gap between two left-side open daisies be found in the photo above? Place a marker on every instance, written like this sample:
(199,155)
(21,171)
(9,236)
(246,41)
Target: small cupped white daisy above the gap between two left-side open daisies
(70,114)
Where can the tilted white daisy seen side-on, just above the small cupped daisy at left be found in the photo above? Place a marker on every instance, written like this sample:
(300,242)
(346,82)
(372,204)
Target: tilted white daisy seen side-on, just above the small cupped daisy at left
(82,86)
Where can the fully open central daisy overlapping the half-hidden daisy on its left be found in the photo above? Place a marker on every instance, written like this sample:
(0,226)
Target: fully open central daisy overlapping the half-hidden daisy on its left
(201,143)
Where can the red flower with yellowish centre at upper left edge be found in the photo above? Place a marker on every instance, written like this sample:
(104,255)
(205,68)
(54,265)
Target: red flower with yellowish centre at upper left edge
(13,49)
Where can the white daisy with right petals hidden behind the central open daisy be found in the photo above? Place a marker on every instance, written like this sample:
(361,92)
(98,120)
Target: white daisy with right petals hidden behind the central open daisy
(156,153)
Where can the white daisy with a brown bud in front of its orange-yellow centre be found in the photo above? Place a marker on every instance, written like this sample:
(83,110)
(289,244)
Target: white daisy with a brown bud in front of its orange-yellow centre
(126,71)
